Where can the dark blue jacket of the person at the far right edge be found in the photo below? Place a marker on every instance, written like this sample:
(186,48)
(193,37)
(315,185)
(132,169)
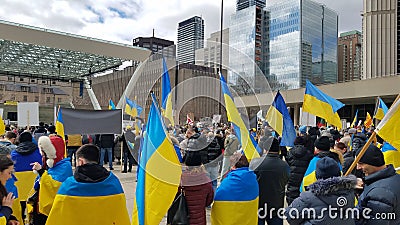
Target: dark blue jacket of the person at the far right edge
(381,195)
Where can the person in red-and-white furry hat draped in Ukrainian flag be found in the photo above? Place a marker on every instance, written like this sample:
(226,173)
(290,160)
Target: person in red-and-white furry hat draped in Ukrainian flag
(55,170)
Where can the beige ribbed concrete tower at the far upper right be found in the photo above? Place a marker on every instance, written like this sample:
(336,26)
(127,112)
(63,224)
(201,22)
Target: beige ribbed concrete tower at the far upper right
(381,33)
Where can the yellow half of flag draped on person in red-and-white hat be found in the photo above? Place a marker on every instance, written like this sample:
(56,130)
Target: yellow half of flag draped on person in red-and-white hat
(47,192)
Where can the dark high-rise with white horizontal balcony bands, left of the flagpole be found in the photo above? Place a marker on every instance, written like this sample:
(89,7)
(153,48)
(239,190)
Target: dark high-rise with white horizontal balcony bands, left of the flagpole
(190,38)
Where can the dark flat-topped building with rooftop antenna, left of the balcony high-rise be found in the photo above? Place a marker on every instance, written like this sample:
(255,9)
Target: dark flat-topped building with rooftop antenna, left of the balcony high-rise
(155,44)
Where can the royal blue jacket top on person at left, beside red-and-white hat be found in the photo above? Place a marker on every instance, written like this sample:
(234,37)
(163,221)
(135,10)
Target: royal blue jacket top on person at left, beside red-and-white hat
(25,154)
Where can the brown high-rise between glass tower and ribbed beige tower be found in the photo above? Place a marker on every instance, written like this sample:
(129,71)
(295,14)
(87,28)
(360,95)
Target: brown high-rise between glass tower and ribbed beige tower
(349,56)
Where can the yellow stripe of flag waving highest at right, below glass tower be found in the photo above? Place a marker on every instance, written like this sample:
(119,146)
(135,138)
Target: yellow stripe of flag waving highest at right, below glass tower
(322,109)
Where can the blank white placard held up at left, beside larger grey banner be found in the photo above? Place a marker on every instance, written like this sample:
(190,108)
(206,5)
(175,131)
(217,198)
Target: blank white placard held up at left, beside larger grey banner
(28,114)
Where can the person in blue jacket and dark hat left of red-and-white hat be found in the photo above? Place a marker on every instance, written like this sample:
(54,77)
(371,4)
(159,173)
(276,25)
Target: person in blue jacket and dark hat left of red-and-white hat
(23,156)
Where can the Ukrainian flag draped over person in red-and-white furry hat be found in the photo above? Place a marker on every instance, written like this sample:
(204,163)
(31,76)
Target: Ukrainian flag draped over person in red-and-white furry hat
(50,182)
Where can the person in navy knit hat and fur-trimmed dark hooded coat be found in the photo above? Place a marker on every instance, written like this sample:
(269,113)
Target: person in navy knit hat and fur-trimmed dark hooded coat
(328,192)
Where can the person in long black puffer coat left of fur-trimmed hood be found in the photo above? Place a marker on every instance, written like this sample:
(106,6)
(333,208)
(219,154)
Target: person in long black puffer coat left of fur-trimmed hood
(298,159)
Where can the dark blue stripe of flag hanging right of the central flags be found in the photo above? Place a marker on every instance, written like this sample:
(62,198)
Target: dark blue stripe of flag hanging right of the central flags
(288,133)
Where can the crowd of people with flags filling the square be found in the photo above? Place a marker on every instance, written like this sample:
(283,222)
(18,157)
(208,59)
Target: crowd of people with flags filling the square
(216,175)
